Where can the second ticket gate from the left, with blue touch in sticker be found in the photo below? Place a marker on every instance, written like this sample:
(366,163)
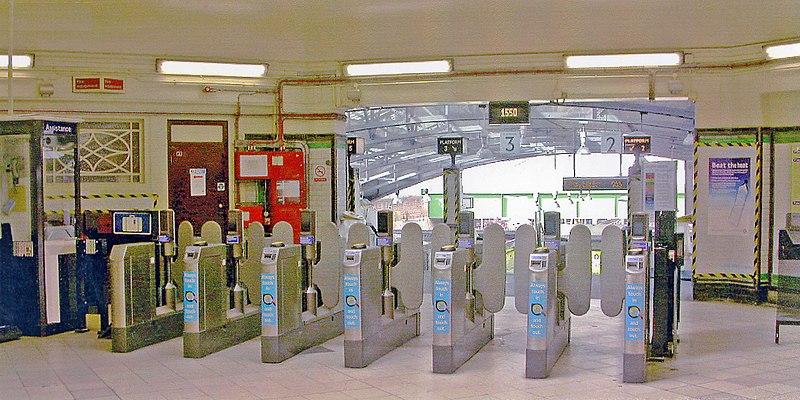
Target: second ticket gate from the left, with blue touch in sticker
(218,311)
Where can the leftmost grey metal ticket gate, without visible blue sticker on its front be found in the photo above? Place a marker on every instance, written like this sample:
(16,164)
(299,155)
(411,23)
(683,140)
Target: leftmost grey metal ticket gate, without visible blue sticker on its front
(145,307)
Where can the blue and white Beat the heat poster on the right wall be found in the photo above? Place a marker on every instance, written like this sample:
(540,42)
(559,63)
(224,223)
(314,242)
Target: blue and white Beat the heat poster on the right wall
(729,191)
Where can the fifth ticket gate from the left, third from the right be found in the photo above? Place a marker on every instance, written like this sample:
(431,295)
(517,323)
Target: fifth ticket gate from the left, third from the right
(465,298)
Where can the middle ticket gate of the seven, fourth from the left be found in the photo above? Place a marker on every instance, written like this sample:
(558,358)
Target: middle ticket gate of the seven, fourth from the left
(382,293)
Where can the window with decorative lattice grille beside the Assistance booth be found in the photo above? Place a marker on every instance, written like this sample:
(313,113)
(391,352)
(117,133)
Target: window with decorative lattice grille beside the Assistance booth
(110,151)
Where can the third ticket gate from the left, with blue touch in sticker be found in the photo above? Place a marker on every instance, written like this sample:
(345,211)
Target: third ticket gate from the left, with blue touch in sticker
(289,324)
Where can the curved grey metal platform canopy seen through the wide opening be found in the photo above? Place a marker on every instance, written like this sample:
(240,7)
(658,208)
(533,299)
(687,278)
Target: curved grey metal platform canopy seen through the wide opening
(400,142)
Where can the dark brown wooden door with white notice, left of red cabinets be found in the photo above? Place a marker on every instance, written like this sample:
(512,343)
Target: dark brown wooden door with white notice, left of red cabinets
(198,171)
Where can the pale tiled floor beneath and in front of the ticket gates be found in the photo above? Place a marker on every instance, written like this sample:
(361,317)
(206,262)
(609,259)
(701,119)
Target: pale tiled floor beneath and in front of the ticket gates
(726,352)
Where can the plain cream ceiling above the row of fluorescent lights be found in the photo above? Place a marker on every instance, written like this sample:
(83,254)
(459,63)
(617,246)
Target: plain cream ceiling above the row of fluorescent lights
(316,30)
